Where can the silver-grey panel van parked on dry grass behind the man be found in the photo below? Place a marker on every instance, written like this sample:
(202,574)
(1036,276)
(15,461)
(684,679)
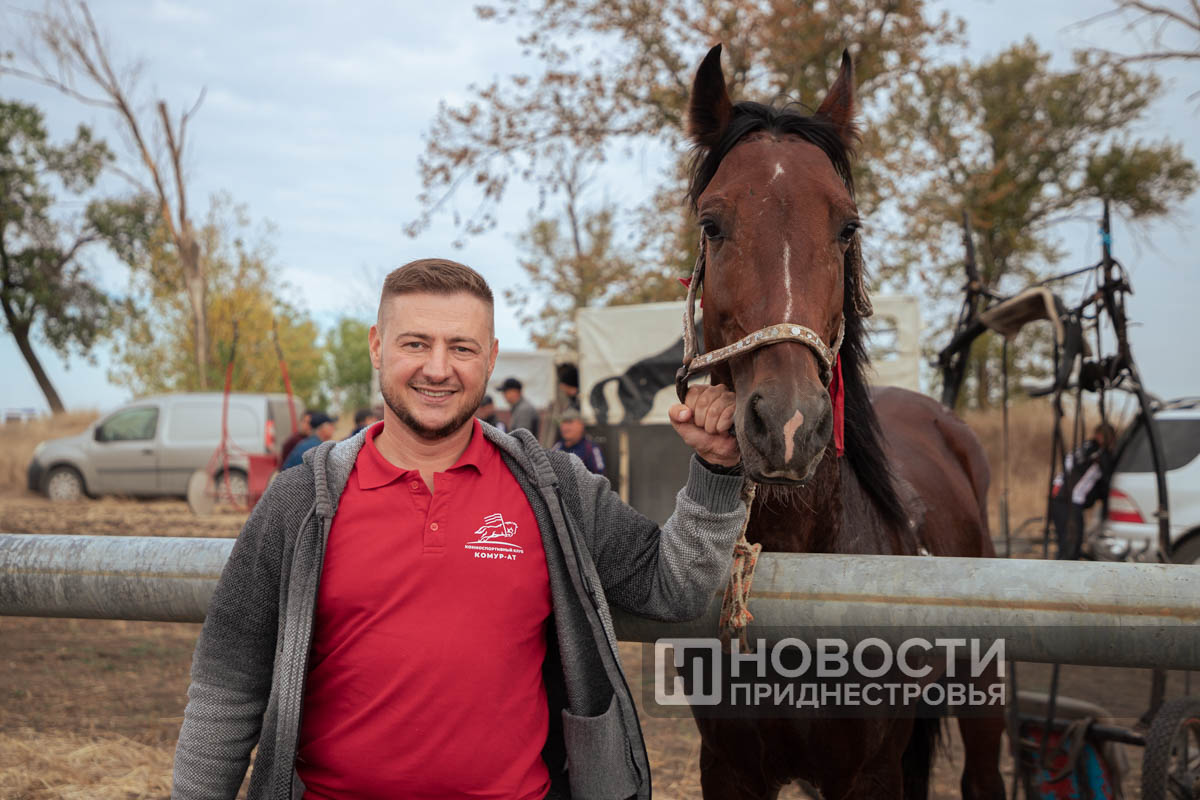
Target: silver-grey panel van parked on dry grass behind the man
(152,447)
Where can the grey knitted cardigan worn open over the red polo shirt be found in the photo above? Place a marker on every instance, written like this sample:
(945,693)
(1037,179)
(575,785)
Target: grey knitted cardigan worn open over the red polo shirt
(251,660)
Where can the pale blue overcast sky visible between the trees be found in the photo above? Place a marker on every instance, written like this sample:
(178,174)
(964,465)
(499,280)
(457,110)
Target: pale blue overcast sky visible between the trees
(315,117)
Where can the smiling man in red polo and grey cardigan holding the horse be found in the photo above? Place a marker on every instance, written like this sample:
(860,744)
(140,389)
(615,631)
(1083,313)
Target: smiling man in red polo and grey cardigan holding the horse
(422,611)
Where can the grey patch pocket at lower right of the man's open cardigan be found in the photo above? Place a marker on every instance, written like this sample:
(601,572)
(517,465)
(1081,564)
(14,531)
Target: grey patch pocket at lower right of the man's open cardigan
(599,763)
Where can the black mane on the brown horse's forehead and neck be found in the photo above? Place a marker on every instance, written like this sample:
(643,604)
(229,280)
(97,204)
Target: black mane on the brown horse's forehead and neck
(865,442)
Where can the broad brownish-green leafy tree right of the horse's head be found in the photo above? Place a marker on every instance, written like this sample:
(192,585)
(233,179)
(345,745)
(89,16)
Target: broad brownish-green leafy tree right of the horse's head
(1022,147)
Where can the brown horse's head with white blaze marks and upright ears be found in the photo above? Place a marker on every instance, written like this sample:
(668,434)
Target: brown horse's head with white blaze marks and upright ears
(775,200)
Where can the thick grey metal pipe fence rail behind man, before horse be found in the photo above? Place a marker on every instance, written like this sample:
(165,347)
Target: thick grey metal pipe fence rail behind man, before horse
(1064,612)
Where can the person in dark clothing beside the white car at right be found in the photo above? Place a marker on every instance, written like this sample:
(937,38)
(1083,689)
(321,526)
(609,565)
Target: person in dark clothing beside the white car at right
(1088,474)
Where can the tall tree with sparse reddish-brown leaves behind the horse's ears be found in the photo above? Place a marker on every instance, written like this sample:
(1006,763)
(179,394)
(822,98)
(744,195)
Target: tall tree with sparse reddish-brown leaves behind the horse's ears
(590,100)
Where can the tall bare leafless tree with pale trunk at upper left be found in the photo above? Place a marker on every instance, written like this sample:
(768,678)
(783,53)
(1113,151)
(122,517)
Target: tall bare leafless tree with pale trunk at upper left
(65,50)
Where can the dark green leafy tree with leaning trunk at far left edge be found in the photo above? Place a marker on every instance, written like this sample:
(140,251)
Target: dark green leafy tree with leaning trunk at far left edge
(45,288)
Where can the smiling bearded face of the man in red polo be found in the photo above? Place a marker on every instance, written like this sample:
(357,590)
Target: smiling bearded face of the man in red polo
(435,354)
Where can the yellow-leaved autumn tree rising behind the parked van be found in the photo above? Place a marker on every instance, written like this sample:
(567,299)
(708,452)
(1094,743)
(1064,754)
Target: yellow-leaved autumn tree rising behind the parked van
(242,292)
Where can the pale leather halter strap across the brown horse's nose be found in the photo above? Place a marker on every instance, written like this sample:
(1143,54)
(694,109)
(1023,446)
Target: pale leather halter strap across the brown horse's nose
(694,363)
